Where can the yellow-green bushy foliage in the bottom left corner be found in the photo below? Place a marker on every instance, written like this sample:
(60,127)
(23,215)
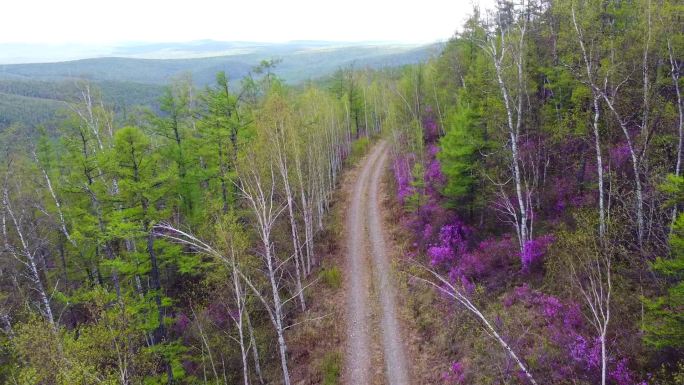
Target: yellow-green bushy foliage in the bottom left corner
(93,354)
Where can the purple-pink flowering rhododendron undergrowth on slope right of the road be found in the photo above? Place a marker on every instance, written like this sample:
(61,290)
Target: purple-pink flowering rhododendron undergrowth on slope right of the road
(546,323)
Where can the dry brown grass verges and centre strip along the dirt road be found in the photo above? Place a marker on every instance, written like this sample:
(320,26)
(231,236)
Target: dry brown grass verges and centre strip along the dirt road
(312,342)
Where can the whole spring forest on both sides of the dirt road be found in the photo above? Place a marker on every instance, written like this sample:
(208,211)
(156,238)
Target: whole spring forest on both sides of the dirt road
(534,190)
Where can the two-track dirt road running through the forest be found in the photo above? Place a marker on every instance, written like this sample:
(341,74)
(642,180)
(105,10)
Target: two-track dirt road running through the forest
(369,285)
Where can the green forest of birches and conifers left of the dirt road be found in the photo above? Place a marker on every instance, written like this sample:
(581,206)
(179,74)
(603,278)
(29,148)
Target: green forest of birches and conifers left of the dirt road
(168,246)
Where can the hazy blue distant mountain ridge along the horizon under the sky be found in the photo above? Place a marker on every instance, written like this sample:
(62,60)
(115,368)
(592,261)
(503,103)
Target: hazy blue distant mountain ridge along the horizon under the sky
(300,61)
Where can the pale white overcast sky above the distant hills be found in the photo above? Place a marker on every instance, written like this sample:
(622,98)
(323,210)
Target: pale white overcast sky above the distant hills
(117,21)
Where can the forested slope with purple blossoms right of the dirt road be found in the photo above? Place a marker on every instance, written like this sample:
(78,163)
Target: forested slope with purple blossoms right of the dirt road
(539,168)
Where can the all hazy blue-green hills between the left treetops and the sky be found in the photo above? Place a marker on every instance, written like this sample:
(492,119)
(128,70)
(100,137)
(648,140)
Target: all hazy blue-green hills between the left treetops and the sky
(30,93)
